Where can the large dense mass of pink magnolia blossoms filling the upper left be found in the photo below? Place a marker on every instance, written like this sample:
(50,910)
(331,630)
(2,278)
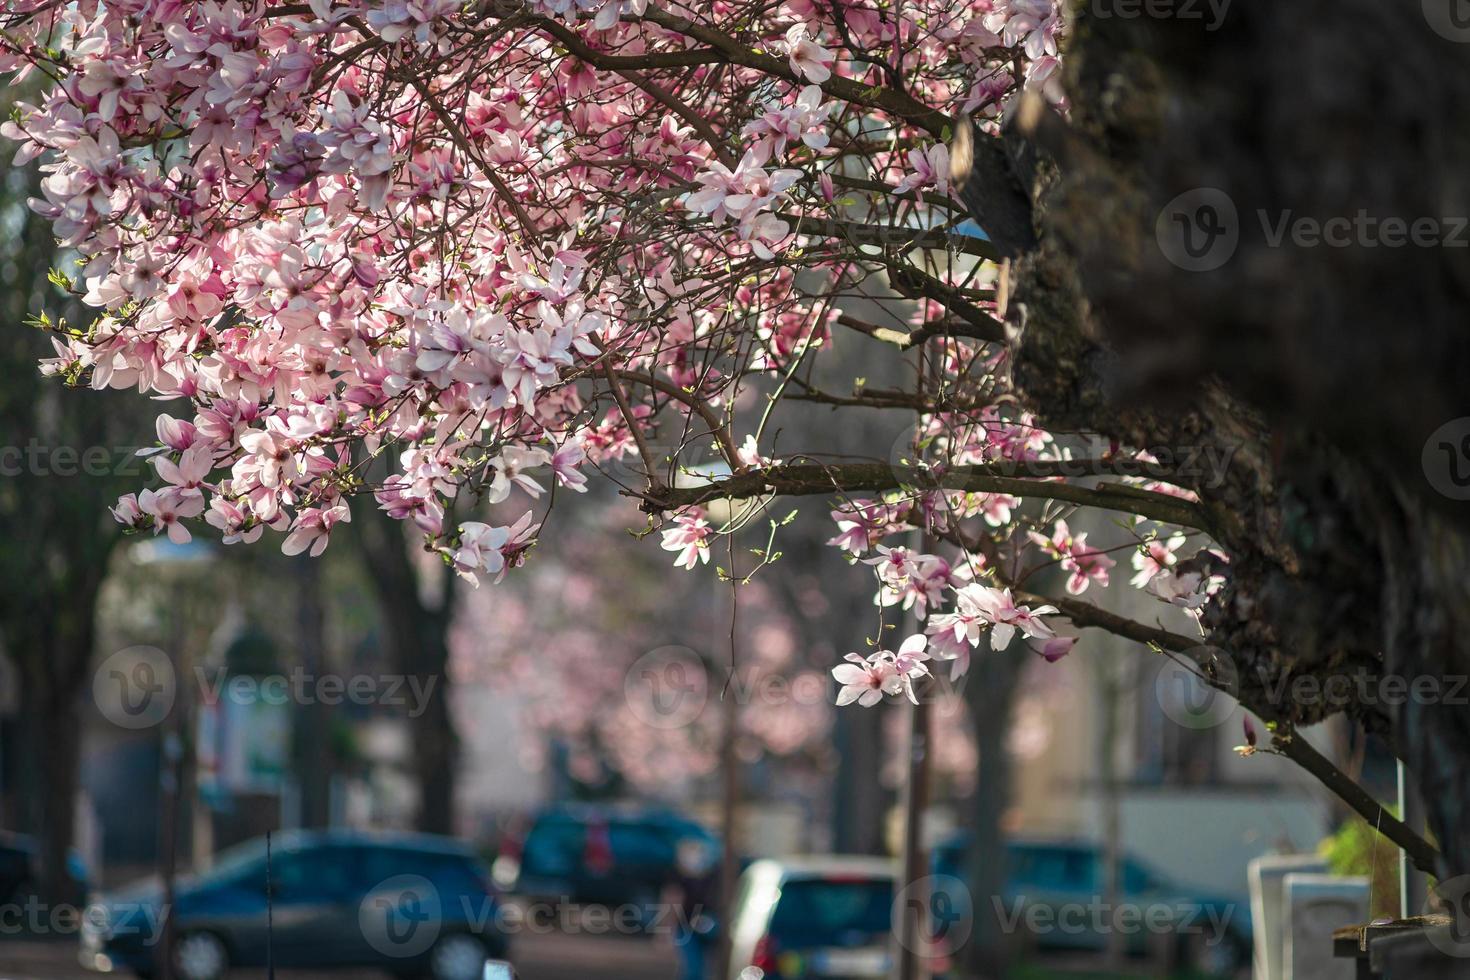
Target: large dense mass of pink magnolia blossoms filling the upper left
(420,251)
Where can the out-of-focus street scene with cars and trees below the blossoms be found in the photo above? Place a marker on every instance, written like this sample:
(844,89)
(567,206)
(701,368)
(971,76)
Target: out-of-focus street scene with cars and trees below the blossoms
(540,769)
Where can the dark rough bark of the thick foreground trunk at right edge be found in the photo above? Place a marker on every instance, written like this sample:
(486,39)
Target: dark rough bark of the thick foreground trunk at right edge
(1322,370)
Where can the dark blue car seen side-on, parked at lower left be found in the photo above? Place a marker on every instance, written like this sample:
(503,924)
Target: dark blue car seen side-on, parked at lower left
(408,904)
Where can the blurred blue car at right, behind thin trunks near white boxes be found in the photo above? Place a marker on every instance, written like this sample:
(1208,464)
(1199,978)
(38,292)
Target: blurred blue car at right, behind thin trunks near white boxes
(1055,896)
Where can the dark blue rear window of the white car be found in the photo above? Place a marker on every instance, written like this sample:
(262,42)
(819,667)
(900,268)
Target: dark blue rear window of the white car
(831,912)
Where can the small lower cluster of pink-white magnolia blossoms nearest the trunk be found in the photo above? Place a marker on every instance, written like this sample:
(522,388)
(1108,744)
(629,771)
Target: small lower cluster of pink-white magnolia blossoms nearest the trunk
(967,597)
